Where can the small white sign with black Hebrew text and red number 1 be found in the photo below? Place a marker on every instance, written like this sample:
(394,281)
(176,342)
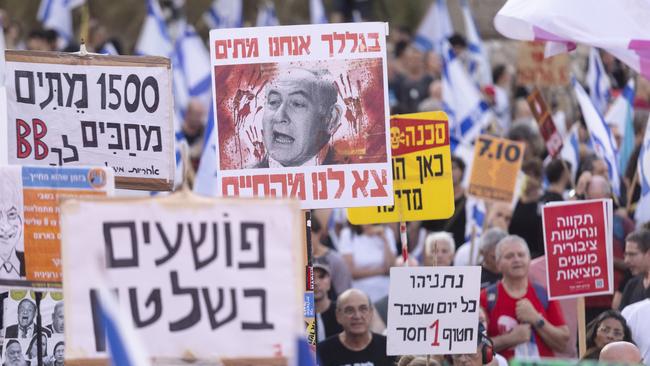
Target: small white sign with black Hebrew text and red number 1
(433,310)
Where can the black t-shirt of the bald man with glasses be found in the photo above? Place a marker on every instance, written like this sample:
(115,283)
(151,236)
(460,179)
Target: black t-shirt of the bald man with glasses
(331,352)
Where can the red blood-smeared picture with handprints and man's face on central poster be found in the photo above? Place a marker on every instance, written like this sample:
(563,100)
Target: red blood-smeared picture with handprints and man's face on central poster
(300,114)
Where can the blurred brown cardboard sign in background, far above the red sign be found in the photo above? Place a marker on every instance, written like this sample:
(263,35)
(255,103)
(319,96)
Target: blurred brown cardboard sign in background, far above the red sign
(534,69)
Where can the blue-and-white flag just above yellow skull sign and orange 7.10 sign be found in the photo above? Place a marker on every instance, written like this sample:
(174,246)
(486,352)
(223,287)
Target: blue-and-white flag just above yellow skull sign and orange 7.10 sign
(468,113)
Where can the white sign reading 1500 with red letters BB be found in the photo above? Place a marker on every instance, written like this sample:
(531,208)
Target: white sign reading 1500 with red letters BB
(115,111)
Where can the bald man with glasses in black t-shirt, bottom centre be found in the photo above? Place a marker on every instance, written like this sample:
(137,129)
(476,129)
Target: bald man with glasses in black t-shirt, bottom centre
(355,344)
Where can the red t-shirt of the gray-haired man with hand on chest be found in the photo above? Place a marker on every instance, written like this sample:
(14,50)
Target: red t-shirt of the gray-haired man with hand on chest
(503,318)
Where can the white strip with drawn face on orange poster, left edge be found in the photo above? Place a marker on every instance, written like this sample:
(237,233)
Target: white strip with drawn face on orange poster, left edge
(11,221)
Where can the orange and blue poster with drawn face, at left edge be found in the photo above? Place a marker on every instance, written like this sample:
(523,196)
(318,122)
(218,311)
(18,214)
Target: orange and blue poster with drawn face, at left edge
(30,241)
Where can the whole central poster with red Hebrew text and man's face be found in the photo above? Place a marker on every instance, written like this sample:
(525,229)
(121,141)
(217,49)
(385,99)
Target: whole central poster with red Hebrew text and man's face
(302,111)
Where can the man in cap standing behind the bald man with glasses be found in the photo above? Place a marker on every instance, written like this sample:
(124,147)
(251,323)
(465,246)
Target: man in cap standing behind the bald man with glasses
(326,324)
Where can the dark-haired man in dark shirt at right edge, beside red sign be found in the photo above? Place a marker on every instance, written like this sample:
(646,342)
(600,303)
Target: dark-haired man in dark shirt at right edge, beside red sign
(637,257)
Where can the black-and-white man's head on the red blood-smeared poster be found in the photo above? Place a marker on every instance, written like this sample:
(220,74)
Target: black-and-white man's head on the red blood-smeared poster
(300,116)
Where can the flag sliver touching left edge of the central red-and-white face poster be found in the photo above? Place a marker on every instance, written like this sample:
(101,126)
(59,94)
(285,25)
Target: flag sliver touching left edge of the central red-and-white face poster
(205,182)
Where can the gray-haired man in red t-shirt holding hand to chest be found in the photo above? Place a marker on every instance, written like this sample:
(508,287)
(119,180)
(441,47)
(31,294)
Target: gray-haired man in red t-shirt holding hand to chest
(522,321)
